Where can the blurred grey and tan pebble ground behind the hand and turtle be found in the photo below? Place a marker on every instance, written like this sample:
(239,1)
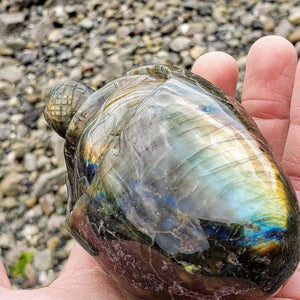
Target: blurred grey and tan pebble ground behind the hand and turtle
(43,43)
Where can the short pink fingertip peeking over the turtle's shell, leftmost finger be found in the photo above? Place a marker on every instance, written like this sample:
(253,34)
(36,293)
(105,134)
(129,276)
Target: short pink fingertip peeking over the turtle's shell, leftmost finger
(219,68)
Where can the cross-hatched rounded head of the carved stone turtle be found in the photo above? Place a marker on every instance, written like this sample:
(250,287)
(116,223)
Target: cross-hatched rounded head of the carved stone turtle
(63,102)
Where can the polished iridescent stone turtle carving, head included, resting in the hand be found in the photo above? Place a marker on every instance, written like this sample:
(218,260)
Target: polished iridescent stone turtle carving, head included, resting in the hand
(173,189)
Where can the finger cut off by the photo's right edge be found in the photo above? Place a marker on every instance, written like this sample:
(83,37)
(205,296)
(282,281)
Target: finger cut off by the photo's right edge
(291,156)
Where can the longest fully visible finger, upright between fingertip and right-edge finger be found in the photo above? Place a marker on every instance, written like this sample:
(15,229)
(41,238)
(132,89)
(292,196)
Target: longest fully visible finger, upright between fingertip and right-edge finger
(268,85)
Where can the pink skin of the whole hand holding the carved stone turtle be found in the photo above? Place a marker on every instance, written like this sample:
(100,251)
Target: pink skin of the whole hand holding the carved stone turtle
(271,94)
